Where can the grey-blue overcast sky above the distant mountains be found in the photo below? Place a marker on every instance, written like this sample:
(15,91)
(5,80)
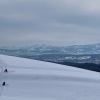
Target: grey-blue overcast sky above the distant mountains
(53,22)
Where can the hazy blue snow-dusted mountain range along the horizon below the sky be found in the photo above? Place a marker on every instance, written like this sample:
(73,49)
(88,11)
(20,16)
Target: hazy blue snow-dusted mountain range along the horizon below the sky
(47,49)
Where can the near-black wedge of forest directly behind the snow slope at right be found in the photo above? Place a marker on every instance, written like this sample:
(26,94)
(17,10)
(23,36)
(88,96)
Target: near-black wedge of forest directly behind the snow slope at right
(88,66)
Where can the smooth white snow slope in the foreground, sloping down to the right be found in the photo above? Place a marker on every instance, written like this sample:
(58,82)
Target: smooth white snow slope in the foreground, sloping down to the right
(36,80)
